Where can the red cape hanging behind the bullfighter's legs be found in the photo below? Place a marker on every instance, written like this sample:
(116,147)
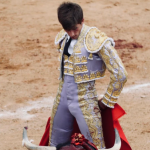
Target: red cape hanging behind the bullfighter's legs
(109,122)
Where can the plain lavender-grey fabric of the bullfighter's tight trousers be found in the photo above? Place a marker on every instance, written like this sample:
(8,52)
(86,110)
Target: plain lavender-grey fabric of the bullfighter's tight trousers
(68,109)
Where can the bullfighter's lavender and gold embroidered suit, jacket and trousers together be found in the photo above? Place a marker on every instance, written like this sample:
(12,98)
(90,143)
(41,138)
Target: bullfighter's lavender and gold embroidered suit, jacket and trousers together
(77,97)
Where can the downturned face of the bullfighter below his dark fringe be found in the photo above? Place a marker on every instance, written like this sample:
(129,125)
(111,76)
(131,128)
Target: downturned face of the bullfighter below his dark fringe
(75,32)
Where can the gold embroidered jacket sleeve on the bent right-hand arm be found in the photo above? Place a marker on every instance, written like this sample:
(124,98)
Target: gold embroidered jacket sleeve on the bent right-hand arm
(118,74)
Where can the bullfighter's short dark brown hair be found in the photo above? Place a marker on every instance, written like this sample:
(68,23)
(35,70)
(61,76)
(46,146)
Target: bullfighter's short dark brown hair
(69,14)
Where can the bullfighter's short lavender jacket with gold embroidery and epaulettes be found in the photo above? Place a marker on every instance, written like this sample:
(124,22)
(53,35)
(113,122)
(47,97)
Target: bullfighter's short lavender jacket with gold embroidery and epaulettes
(92,54)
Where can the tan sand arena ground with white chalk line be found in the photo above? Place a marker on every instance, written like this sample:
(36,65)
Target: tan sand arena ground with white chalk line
(28,64)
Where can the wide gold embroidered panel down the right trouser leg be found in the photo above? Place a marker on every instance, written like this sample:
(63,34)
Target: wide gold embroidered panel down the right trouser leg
(90,110)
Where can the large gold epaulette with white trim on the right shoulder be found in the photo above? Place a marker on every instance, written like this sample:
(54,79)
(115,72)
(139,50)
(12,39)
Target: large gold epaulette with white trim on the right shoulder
(95,39)
